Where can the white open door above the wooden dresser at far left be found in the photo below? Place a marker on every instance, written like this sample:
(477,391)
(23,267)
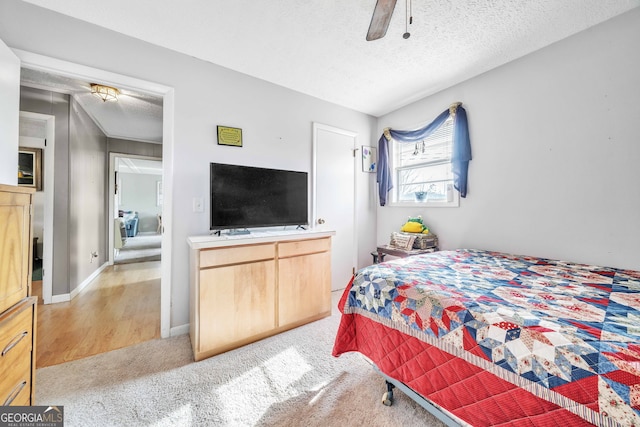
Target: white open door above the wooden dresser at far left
(9,114)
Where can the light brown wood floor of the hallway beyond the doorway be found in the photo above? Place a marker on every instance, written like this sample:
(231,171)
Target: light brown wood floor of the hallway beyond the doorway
(119,308)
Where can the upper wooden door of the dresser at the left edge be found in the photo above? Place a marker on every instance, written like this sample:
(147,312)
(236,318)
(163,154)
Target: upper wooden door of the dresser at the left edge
(15,247)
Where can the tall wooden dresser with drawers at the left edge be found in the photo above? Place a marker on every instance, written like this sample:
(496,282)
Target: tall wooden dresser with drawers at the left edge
(17,306)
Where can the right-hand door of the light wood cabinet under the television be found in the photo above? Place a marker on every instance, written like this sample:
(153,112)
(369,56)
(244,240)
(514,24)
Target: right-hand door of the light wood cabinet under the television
(304,287)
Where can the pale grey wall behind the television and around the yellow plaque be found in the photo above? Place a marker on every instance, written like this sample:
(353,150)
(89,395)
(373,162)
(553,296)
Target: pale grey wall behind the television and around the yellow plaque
(276,122)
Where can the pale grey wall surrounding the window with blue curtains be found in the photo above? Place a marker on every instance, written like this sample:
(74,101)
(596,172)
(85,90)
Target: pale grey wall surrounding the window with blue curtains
(555,138)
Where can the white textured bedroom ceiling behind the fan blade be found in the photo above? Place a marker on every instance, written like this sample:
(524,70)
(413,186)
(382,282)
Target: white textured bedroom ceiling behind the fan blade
(318,47)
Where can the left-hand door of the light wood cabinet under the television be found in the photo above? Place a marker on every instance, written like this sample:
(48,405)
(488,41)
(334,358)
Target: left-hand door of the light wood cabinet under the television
(236,303)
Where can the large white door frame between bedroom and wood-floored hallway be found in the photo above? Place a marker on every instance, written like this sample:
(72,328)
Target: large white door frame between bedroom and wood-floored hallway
(56,66)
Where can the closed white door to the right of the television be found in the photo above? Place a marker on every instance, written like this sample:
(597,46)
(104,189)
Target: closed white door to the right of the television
(334,190)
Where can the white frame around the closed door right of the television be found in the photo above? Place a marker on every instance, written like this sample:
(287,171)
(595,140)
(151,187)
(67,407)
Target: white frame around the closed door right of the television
(314,168)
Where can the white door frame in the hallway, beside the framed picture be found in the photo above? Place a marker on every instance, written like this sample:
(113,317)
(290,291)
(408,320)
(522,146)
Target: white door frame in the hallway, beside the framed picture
(48,174)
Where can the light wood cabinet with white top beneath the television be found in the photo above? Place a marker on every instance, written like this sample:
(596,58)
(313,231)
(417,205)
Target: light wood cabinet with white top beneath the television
(247,289)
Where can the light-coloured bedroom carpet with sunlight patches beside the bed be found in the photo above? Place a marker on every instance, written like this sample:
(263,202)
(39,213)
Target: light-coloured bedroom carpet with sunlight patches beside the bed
(287,380)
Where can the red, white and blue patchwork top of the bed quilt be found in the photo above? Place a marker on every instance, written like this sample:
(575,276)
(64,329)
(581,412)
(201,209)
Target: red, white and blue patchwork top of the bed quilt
(567,333)
